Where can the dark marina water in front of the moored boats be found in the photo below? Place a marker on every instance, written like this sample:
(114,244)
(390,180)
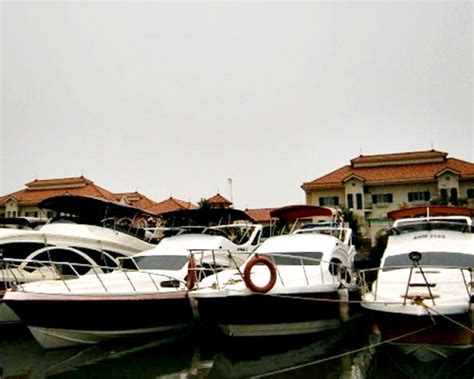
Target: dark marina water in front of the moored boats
(344,353)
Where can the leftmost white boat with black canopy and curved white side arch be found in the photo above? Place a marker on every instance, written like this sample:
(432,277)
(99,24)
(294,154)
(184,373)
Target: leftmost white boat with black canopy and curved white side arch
(85,230)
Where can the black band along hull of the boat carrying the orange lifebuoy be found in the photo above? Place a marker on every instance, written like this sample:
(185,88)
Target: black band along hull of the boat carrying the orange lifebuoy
(269,309)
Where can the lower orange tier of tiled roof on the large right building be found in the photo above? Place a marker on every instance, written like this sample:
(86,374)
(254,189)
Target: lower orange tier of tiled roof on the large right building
(400,173)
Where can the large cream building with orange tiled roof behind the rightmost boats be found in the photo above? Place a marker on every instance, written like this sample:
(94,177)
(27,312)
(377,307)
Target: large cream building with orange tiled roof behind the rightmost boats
(373,185)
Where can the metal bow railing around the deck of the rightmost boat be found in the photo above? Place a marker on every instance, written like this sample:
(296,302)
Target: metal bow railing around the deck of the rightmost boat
(369,283)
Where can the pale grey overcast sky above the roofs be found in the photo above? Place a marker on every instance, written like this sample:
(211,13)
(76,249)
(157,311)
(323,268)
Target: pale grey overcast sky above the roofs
(176,98)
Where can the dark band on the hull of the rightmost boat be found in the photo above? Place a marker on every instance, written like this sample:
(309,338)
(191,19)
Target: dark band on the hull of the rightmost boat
(440,330)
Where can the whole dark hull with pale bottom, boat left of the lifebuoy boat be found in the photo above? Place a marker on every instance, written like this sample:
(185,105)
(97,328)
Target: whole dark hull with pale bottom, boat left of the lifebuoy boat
(57,321)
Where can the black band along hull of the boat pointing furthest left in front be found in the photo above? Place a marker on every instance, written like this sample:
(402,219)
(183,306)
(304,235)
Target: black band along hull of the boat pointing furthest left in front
(103,315)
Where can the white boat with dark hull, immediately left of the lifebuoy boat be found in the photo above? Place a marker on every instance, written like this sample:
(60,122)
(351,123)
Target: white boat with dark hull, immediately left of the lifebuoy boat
(148,295)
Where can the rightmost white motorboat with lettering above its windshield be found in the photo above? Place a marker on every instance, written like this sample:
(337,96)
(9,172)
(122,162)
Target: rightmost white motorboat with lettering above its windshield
(421,297)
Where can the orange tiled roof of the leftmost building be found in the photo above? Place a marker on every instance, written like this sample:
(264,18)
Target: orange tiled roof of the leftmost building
(42,189)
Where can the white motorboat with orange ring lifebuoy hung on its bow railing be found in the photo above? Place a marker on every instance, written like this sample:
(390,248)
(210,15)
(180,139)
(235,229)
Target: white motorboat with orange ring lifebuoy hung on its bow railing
(293,284)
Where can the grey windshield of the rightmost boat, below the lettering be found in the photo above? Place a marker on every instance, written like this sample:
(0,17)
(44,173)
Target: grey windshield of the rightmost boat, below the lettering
(439,259)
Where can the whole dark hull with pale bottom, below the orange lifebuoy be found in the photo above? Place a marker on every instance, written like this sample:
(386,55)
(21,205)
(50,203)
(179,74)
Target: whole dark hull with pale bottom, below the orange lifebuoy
(257,315)
